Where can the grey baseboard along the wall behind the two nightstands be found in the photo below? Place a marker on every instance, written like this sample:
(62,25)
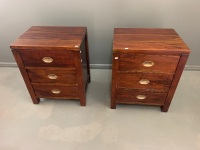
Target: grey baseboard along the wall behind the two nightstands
(102,66)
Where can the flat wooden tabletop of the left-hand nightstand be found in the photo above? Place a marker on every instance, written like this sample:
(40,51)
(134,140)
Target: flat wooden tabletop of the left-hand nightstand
(51,37)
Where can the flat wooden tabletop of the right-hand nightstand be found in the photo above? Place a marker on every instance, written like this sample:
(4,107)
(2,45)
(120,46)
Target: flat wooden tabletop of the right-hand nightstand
(147,40)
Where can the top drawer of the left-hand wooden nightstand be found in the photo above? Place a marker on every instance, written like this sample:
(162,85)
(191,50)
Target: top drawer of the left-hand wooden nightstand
(47,58)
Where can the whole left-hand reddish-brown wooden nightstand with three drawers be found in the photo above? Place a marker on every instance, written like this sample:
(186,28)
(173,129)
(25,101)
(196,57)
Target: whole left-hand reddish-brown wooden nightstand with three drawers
(52,61)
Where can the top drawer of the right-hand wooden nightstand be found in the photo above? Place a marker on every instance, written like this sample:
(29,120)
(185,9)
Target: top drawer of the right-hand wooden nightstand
(148,63)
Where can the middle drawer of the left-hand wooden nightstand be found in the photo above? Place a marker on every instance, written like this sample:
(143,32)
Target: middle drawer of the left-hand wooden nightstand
(53,75)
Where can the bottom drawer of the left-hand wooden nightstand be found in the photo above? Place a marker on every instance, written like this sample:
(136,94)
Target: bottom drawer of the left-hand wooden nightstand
(56,91)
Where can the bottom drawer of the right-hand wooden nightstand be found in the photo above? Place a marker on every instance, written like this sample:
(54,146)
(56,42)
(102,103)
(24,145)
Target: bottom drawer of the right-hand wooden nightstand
(126,96)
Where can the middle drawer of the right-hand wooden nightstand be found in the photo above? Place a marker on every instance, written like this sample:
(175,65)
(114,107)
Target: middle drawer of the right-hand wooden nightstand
(153,81)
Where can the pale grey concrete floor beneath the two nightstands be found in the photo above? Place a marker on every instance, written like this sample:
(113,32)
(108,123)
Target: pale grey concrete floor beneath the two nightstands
(64,125)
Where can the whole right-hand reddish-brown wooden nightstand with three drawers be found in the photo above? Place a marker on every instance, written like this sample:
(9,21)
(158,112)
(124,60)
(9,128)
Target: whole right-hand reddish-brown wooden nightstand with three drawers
(147,65)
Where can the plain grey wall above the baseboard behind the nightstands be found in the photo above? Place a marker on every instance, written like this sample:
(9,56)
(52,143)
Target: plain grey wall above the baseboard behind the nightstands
(100,16)
